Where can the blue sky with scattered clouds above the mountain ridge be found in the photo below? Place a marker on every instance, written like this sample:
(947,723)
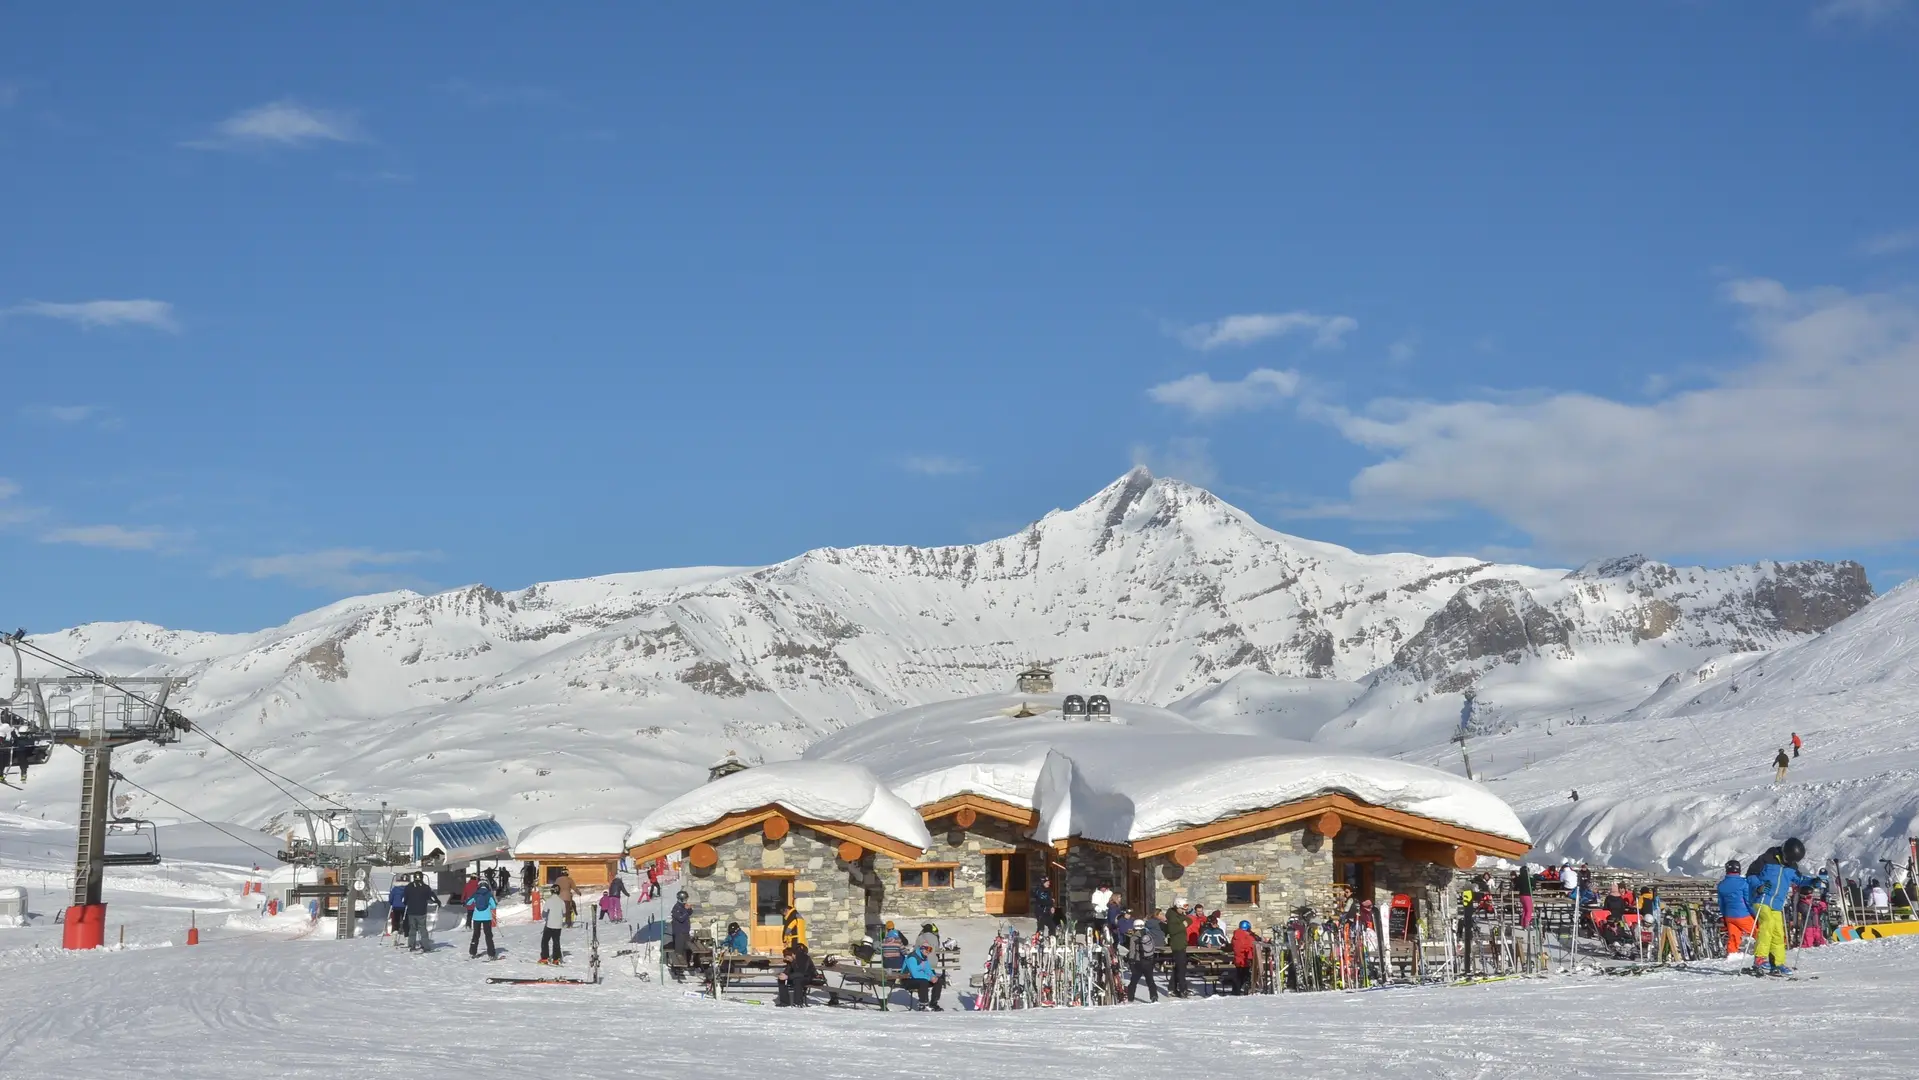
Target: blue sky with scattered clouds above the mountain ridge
(300,306)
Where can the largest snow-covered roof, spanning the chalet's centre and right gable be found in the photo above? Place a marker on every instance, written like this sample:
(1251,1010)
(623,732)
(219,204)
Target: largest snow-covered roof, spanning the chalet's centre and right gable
(1139,774)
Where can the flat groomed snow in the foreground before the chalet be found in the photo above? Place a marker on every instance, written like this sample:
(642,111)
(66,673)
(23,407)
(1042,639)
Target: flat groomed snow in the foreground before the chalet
(277,998)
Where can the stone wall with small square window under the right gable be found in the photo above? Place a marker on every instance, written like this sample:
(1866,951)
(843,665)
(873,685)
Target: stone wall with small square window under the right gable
(1294,866)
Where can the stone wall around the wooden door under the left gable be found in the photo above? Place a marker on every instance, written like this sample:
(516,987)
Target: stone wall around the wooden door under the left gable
(834,897)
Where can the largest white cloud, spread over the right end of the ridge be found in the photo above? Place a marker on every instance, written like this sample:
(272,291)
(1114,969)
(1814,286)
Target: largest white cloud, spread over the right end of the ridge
(1812,446)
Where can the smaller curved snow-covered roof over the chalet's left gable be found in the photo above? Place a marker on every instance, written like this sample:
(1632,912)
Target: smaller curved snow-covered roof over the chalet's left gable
(822,791)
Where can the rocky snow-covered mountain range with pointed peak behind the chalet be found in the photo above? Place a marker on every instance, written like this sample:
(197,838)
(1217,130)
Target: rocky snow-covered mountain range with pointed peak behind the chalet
(609,695)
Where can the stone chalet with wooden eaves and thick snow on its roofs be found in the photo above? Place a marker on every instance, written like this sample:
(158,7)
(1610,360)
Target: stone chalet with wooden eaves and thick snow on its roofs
(970,809)
